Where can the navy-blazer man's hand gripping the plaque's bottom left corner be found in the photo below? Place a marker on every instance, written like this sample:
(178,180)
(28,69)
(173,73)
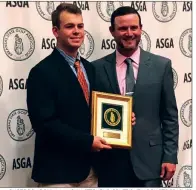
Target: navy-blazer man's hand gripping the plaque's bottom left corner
(99,144)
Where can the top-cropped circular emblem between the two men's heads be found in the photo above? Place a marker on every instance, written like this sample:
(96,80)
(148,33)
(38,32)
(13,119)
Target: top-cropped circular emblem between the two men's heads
(106,8)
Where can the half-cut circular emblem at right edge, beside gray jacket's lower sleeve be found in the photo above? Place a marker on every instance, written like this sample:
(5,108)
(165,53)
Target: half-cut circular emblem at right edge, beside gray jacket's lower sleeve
(186,113)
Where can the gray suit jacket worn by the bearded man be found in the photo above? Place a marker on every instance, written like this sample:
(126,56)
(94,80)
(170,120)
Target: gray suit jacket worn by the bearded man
(155,135)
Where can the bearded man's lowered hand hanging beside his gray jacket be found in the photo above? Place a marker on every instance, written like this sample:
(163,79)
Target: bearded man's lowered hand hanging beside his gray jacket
(167,171)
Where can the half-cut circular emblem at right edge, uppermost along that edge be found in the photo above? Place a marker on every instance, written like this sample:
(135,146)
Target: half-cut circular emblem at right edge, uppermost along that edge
(185,42)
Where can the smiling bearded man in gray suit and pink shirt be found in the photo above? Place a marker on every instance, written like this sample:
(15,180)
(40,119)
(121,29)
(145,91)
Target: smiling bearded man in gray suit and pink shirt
(153,156)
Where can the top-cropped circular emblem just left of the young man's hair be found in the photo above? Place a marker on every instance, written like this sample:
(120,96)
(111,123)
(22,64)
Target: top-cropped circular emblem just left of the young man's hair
(45,9)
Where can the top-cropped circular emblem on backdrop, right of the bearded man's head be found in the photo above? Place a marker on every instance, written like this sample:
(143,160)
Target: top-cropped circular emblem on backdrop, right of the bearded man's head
(164,11)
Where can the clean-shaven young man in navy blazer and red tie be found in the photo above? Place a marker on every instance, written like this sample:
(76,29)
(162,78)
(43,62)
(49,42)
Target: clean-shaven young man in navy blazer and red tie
(58,98)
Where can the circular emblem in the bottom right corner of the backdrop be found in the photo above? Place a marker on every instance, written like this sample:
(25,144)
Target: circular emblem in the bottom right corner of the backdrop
(184,178)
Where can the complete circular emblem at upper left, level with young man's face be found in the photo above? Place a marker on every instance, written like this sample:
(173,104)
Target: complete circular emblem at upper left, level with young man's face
(18,43)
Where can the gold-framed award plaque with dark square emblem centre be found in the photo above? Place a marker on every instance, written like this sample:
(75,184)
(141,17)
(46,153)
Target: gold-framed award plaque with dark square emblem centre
(111,118)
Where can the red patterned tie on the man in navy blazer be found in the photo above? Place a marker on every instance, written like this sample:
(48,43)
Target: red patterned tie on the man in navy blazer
(82,80)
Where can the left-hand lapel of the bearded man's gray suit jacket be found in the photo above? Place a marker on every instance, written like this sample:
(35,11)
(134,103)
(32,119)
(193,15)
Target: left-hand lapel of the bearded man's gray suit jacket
(110,68)
